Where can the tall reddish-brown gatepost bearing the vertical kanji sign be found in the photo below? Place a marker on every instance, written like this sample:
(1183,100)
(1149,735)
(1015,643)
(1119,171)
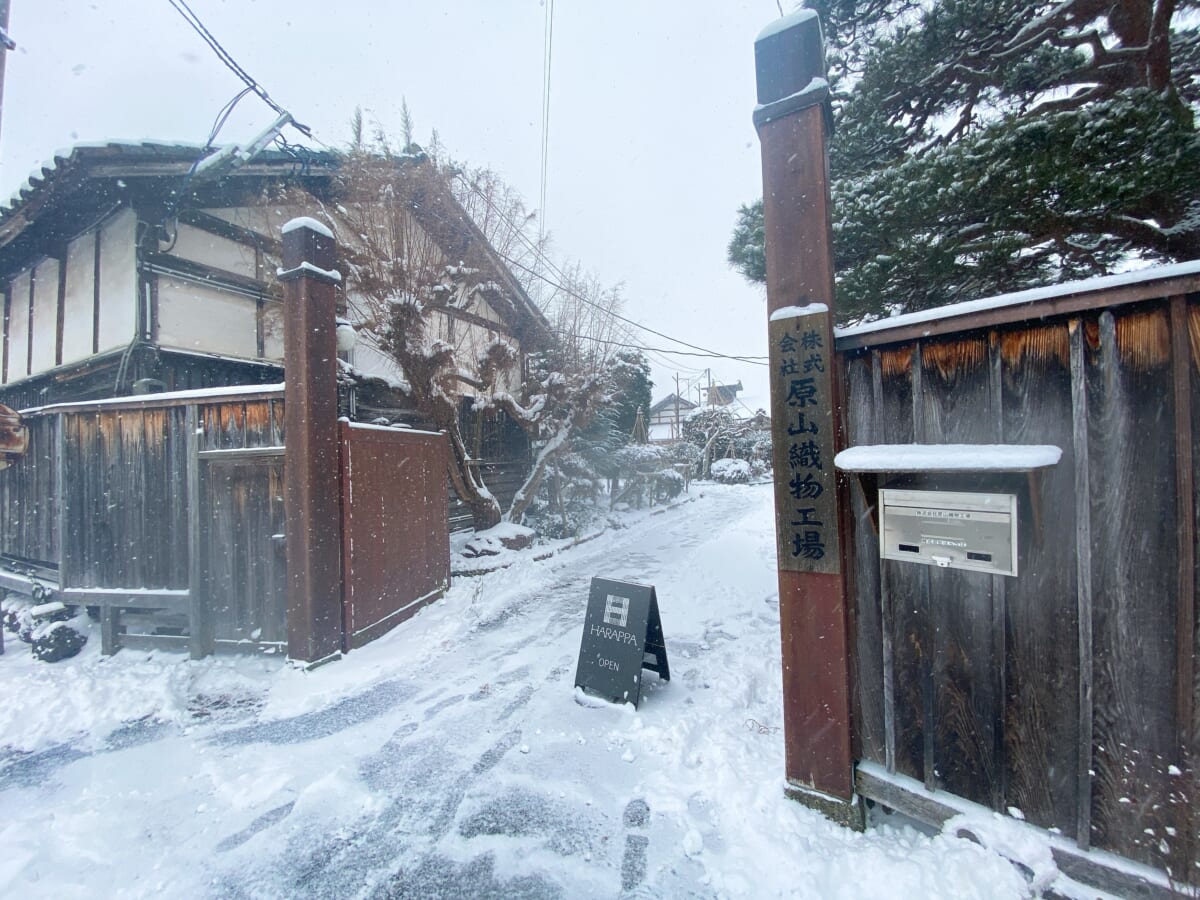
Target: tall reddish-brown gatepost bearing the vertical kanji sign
(793,119)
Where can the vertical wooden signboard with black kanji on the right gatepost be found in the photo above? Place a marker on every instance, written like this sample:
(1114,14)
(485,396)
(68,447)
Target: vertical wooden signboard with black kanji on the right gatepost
(802,422)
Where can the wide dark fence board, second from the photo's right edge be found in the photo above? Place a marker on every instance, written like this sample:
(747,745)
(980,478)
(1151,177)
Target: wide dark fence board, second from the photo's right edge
(1133,517)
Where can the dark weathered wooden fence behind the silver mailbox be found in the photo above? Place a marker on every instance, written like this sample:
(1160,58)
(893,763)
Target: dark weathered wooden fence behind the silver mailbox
(1072,692)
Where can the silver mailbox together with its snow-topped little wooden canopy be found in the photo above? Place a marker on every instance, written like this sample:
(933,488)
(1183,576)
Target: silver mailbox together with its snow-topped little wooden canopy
(928,513)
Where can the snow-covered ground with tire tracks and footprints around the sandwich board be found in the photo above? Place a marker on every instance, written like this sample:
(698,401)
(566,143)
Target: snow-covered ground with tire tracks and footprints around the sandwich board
(452,758)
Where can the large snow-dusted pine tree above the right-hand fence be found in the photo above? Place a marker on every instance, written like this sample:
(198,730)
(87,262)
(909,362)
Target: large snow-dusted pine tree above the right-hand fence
(991,146)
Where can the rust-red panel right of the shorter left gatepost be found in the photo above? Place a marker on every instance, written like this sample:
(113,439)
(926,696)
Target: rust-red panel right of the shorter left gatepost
(395,527)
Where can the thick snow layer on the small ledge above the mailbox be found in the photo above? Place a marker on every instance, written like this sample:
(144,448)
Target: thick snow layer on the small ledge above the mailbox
(947,458)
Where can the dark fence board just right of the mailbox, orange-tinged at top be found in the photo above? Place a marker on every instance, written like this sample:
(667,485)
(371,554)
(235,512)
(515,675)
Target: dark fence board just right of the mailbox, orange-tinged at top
(1042,633)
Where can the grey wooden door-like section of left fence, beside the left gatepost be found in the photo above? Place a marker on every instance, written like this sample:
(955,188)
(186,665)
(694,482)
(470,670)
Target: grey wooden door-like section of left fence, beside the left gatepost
(244,559)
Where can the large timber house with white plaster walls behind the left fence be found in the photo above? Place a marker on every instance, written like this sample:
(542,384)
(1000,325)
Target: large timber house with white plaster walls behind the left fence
(127,271)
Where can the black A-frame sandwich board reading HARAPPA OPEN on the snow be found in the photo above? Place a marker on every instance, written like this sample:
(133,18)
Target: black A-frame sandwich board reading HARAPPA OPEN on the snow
(622,635)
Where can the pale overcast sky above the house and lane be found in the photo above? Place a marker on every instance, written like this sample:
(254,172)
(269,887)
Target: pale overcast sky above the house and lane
(651,143)
